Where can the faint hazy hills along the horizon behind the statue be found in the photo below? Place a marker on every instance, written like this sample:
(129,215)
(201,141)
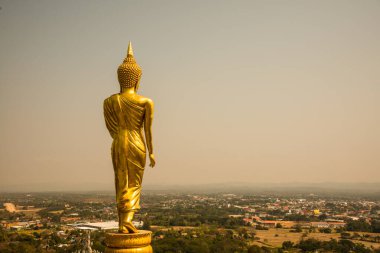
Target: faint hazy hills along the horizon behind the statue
(368,189)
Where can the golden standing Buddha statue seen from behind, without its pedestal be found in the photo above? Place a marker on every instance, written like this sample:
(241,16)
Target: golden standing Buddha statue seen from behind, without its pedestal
(127,115)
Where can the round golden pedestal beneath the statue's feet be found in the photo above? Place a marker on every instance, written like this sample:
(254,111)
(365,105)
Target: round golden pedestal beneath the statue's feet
(129,243)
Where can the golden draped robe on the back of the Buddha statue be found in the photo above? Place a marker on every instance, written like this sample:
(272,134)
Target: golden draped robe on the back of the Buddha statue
(125,120)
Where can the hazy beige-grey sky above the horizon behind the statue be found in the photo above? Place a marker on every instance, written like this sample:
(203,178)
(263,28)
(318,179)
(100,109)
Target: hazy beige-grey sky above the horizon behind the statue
(244,91)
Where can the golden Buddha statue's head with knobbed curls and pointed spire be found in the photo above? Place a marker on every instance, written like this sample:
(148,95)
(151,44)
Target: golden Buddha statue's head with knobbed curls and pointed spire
(129,72)
